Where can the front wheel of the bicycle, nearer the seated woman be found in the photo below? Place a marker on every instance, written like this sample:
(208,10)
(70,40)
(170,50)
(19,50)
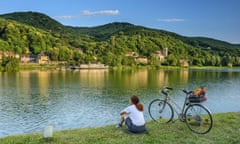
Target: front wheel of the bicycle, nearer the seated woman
(160,111)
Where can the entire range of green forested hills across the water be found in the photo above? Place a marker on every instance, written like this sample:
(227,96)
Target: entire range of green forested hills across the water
(108,43)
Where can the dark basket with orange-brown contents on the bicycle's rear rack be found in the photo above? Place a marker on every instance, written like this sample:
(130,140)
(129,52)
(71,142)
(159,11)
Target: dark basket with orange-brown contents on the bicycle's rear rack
(198,95)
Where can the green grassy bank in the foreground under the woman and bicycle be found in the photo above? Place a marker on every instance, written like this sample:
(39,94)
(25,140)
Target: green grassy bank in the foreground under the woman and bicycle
(226,129)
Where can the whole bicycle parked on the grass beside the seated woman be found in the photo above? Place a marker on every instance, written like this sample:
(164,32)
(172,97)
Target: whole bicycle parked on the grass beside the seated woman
(196,116)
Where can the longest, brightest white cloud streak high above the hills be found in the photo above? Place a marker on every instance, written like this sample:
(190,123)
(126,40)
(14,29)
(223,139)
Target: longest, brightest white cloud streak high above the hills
(102,12)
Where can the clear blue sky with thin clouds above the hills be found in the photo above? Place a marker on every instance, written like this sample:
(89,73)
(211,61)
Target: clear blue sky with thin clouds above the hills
(218,19)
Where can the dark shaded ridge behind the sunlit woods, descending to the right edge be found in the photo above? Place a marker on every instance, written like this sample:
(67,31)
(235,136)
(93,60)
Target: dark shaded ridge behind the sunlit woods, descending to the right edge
(106,31)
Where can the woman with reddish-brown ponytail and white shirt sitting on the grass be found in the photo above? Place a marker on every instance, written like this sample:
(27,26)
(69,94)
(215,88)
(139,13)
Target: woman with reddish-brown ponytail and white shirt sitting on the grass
(133,116)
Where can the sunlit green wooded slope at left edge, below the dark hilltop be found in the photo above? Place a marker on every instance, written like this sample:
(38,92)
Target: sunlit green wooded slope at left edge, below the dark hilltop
(20,38)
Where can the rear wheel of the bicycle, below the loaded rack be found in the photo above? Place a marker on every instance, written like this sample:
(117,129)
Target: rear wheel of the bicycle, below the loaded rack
(198,118)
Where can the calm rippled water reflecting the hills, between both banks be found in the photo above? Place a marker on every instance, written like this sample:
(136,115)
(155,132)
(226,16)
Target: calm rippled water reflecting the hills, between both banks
(30,100)
